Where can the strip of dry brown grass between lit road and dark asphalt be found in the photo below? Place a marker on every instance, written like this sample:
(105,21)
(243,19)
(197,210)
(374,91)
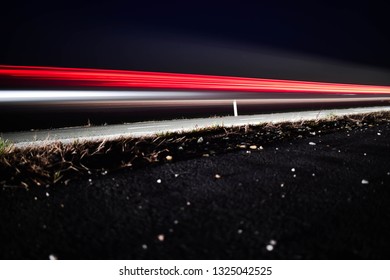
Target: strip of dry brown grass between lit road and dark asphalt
(58,163)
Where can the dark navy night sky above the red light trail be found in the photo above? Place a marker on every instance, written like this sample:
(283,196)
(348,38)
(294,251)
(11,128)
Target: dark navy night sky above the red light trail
(318,40)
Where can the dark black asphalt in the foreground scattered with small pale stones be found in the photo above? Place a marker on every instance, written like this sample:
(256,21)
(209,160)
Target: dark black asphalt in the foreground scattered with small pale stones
(291,200)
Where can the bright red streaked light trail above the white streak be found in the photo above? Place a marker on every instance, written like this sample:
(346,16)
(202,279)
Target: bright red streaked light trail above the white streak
(122,79)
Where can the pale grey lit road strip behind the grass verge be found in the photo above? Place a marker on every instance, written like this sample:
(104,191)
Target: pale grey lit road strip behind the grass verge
(99,133)
